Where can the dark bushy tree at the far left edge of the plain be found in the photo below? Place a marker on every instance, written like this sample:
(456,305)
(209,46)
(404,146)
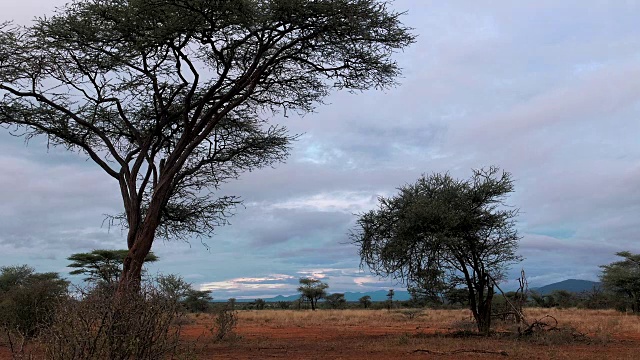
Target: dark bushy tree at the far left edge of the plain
(28,299)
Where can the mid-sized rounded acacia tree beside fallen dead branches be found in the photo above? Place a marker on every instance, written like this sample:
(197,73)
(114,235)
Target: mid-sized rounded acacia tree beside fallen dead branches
(443,231)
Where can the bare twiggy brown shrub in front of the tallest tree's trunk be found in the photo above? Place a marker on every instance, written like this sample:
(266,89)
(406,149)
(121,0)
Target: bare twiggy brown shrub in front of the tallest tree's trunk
(103,325)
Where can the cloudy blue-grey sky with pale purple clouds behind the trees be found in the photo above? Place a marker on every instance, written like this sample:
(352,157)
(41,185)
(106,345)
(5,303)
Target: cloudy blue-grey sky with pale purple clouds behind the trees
(547,90)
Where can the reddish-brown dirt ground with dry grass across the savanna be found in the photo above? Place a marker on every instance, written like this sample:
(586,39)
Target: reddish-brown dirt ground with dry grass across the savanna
(427,334)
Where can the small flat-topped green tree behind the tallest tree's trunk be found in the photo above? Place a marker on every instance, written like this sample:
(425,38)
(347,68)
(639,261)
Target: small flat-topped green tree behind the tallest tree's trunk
(102,265)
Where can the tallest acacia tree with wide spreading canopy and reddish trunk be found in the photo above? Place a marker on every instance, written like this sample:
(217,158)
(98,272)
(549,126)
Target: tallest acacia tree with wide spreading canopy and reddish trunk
(170,97)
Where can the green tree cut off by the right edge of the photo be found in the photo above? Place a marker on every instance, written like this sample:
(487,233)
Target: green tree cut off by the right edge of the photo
(622,278)
